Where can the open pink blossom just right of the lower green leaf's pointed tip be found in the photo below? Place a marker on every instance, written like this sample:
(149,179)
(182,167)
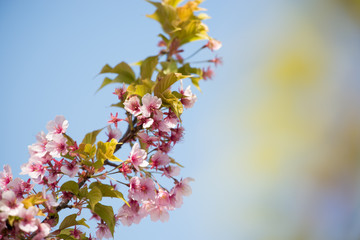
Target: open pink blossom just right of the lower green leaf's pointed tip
(142,189)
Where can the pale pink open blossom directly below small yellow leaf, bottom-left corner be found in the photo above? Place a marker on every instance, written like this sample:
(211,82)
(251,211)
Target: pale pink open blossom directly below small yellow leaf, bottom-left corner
(28,222)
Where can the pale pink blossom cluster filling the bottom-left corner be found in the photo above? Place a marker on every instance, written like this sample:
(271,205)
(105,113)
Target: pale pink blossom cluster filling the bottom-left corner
(16,212)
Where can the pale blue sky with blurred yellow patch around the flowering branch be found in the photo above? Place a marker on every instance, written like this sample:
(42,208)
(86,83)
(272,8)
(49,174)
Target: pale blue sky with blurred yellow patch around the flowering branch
(51,52)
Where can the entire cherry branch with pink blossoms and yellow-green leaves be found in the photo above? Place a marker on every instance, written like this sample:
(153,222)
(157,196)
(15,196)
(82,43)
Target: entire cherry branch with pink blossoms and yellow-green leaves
(78,175)
